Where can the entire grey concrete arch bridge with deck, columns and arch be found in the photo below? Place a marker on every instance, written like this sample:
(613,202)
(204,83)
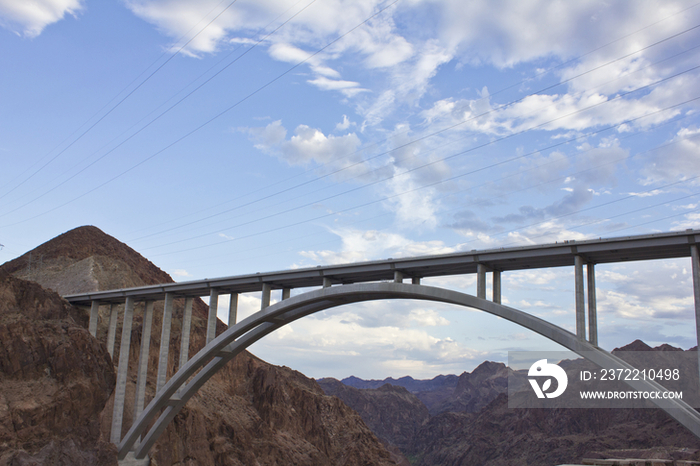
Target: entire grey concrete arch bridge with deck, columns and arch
(357,282)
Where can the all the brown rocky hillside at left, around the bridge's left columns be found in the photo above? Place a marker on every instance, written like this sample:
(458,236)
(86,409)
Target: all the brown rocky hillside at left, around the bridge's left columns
(250,413)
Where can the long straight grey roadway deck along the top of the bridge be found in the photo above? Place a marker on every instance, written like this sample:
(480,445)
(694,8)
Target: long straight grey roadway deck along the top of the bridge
(600,251)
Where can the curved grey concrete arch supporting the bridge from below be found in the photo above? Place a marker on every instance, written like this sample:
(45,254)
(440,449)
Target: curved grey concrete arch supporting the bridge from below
(210,359)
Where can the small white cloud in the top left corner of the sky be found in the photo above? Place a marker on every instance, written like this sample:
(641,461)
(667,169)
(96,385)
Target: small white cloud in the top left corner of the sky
(31,17)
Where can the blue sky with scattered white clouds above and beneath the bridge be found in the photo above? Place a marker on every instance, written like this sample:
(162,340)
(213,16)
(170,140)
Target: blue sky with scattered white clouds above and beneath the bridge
(221,138)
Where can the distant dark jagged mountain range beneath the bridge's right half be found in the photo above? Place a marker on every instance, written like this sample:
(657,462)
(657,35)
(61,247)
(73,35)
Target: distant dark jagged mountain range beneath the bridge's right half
(465,420)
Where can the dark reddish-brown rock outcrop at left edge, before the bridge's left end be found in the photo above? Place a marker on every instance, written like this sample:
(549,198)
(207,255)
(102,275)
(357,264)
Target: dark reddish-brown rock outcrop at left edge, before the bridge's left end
(55,379)
